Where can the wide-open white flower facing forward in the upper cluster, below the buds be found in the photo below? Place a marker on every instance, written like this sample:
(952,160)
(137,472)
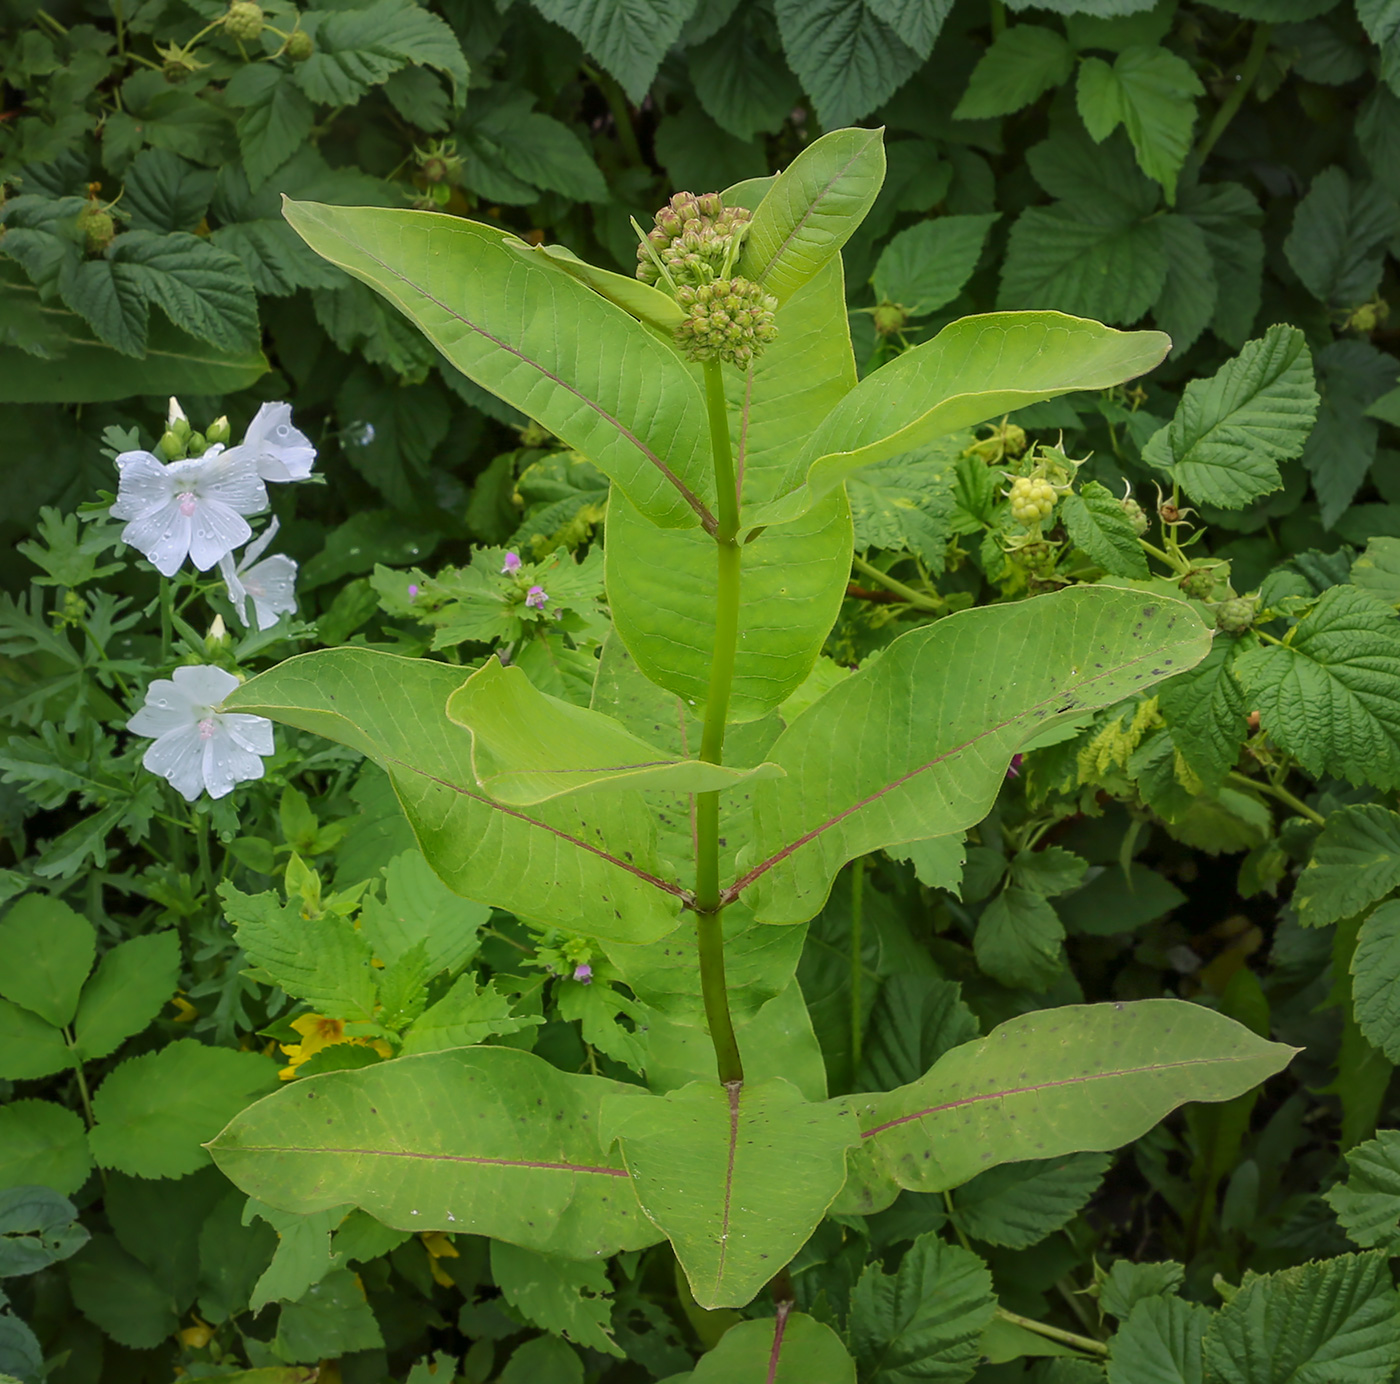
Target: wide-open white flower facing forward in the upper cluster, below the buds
(190,509)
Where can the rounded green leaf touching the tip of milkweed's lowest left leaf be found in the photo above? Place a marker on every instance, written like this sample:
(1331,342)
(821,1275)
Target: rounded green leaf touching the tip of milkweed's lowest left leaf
(156,1112)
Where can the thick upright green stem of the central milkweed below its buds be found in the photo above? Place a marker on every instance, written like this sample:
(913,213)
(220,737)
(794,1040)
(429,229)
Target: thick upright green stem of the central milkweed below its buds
(709,910)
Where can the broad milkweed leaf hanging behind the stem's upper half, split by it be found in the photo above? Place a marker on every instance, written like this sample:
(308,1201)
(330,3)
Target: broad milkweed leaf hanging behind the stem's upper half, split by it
(790,593)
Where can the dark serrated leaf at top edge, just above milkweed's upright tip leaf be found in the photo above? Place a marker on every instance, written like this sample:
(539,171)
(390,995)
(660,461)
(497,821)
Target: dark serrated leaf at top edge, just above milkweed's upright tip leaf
(845,55)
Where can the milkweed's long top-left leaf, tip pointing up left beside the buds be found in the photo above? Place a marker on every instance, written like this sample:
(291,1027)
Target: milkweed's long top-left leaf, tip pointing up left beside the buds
(541,341)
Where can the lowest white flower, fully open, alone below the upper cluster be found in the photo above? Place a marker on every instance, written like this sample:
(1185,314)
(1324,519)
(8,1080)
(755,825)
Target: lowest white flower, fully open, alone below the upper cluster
(198,747)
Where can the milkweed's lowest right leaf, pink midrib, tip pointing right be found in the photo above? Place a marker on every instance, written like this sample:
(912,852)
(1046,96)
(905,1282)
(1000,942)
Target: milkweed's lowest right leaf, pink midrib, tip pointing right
(1086,1078)
